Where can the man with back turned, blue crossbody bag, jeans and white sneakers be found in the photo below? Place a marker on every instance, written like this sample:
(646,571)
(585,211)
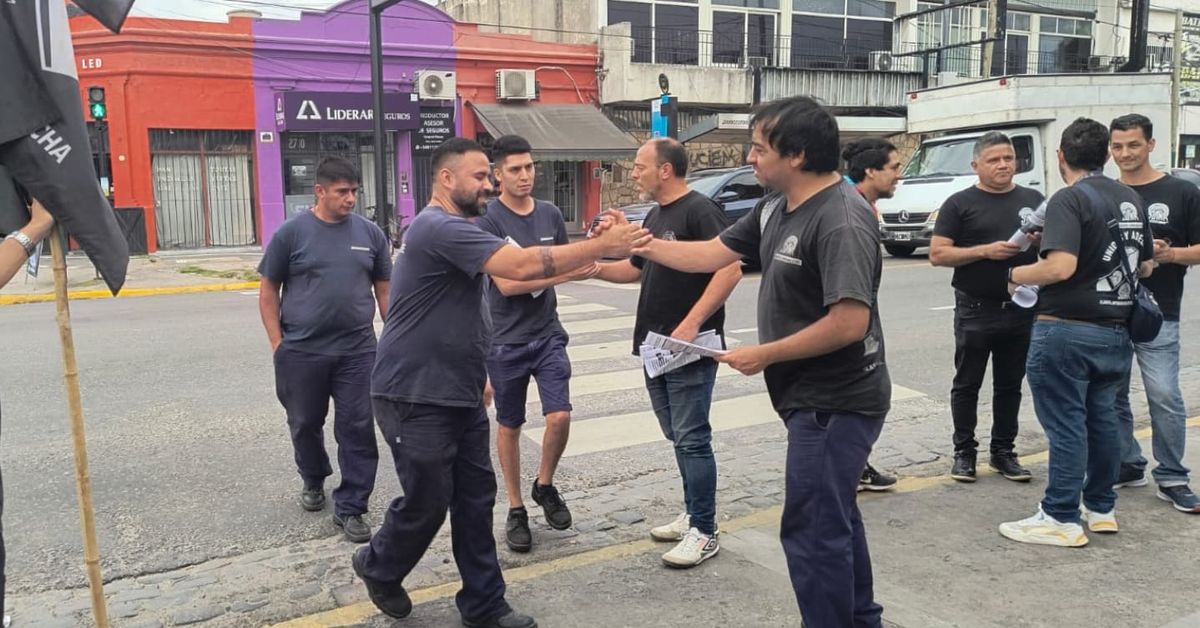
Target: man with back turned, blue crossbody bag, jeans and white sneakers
(1081,351)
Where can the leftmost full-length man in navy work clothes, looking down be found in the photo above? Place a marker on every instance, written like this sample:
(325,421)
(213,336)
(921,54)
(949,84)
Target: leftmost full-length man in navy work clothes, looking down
(333,267)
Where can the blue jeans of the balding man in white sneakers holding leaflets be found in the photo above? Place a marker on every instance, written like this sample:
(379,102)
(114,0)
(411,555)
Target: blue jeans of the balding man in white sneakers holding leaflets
(682,400)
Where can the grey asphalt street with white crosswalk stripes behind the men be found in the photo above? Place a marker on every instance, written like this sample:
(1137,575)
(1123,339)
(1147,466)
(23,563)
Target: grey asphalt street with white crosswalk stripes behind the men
(190,457)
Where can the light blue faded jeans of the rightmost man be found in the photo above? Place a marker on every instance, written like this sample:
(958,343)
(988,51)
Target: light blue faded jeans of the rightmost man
(1160,362)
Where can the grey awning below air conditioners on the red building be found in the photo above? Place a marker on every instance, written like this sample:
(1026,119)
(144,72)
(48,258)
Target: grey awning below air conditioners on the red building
(560,133)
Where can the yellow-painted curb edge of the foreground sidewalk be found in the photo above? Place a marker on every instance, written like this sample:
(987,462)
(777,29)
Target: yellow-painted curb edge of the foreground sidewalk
(358,613)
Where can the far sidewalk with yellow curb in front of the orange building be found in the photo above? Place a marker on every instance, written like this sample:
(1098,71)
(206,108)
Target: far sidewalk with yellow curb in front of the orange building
(164,273)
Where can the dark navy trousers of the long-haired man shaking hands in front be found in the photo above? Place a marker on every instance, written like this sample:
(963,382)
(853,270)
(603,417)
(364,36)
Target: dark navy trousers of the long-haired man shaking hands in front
(821,529)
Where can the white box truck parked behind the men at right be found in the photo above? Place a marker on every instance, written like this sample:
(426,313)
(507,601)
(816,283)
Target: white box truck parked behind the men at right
(1033,111)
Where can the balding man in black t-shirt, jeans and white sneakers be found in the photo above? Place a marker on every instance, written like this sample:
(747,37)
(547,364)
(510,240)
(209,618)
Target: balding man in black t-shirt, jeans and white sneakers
(681,306)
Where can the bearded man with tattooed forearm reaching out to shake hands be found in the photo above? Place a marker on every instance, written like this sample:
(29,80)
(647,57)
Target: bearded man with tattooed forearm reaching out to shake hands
(428,387)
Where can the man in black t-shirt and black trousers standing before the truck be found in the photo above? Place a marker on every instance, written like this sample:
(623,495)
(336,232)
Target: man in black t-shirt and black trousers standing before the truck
(973,236)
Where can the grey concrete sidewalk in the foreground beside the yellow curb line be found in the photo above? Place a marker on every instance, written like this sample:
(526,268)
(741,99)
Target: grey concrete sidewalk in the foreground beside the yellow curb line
(939,563)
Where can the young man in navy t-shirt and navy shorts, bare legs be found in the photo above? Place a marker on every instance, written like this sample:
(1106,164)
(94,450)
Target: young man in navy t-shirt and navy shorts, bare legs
(529,340)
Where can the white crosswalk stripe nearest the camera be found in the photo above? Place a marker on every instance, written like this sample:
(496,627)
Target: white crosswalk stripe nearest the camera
(640,428)
